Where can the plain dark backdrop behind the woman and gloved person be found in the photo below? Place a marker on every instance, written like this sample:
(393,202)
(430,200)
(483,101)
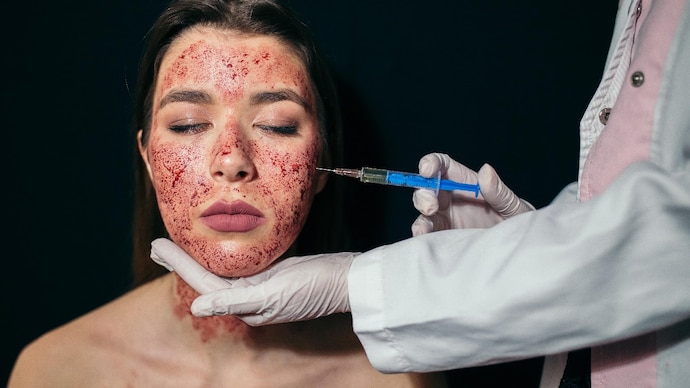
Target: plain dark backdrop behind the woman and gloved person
(499,82)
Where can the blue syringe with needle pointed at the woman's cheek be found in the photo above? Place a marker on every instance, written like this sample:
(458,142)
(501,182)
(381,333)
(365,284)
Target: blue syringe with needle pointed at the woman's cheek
(405,179)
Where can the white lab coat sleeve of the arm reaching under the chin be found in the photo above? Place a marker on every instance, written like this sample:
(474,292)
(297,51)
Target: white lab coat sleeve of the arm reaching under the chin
(571,275)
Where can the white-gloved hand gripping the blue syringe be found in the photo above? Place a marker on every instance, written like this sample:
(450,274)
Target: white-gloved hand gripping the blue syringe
(457,209)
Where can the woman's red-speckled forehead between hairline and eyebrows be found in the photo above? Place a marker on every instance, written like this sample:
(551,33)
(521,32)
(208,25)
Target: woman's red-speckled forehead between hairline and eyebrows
(204,54)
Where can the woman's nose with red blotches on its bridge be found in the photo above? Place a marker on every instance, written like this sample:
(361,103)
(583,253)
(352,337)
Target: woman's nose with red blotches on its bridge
(232,162)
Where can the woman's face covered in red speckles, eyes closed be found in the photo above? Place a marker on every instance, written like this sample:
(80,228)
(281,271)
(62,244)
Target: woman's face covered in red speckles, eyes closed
(233,148)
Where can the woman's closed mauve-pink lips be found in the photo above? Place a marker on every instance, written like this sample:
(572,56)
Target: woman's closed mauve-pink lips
(236,216)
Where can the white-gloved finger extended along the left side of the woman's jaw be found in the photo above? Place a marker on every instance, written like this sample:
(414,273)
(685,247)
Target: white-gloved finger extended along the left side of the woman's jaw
(174,258)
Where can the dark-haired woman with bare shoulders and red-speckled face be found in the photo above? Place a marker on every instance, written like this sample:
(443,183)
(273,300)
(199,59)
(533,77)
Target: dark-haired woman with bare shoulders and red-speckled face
(234,113)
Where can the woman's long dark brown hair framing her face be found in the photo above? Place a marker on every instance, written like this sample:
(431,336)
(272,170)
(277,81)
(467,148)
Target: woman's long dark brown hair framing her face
(324,230)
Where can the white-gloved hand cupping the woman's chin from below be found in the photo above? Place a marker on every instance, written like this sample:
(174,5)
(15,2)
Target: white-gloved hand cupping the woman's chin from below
(294,289)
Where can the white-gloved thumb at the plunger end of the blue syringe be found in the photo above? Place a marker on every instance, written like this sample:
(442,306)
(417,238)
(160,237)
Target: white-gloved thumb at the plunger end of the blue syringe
(498,195)
